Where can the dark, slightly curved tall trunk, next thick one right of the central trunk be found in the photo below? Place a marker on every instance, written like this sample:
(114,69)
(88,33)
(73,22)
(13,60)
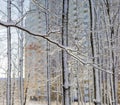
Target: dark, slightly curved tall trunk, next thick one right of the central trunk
(94,52)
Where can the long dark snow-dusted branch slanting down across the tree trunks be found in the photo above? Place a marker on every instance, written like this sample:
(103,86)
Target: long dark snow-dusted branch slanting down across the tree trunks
(44,36)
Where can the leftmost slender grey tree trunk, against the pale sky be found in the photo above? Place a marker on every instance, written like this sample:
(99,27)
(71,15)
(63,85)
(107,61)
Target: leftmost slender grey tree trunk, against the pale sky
(9,54)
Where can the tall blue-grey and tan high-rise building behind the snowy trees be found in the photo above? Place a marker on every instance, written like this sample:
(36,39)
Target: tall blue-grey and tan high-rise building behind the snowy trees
(43,58)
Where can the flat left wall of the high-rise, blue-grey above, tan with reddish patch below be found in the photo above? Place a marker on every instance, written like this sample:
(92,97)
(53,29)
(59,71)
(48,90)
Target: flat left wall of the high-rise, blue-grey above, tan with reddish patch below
(35,52)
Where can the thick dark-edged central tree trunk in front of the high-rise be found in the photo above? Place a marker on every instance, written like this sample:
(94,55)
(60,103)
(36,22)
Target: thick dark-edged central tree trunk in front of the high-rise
(66,88)
